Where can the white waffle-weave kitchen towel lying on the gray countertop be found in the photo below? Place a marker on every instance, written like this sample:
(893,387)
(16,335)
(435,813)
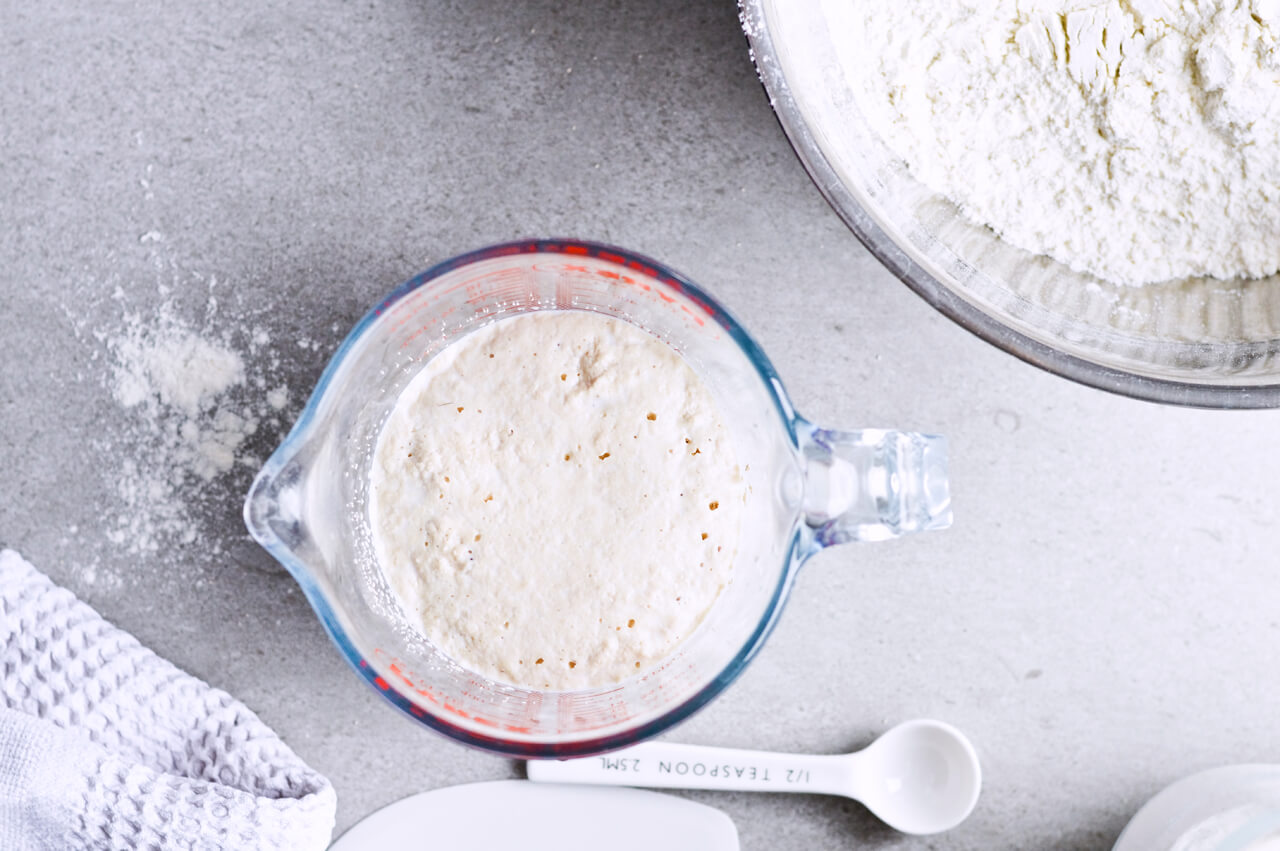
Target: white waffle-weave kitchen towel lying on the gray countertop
(106,745)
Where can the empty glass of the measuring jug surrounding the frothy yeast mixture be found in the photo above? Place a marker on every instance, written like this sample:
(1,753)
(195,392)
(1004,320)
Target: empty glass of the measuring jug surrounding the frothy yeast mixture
(810,488)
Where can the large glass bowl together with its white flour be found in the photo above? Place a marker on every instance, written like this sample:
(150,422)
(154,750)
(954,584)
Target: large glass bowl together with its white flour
(1107,213)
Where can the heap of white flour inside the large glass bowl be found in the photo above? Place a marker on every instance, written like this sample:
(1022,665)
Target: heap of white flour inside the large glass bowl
(1136,140)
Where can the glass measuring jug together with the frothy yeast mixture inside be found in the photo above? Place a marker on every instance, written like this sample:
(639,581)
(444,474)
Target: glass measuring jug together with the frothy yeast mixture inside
(548,498)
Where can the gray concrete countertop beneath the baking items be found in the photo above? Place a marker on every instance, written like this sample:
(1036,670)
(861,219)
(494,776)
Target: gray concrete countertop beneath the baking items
(1103,619)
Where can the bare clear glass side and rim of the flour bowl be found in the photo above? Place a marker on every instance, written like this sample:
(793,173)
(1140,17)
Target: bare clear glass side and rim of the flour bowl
(1197,342)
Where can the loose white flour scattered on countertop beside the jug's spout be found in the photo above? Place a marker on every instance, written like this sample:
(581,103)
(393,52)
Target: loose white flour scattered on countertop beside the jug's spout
(198,394)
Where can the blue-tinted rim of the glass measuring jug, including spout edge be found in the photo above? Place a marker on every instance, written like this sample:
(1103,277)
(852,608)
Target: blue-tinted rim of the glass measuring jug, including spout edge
(497,744)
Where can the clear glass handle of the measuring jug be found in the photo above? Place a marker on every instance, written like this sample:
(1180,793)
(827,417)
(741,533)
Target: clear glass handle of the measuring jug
(874,484)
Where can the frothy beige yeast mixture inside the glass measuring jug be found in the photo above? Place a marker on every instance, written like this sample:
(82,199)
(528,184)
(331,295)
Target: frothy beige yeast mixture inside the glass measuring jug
(556,501)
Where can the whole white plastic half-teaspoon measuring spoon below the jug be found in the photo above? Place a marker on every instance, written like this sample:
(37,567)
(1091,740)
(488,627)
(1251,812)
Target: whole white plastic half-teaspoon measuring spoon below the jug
(920,777)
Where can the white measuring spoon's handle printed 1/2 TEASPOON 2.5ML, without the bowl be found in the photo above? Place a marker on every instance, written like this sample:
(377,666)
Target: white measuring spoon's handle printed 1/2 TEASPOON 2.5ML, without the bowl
(696,767)
